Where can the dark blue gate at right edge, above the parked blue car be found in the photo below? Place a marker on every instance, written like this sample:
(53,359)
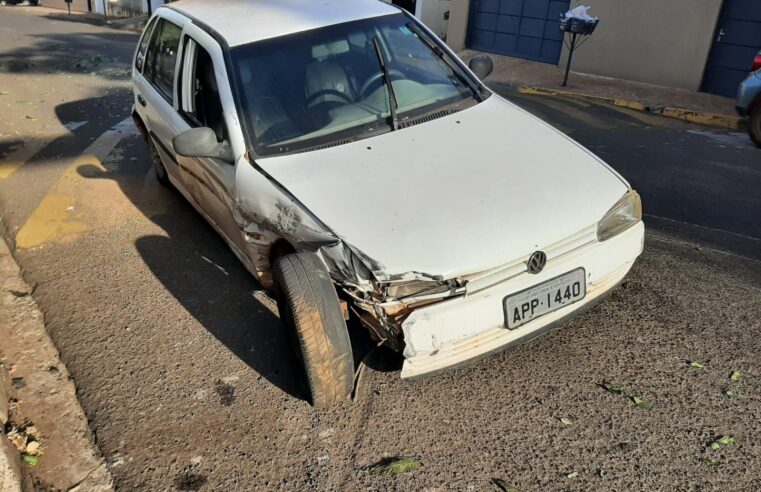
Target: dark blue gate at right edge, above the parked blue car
(736,41)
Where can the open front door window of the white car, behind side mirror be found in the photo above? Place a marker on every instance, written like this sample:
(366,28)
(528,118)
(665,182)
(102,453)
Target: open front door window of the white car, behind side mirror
(201,103)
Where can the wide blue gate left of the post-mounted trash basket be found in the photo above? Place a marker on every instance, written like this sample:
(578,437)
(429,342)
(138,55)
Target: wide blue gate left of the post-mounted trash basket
(522,28)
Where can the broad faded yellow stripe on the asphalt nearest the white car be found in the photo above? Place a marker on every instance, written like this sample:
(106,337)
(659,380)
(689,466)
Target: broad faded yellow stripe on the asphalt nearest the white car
(58,214)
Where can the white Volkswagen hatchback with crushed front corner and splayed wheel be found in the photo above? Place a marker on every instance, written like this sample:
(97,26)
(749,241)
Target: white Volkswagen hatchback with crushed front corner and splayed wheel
(361,171)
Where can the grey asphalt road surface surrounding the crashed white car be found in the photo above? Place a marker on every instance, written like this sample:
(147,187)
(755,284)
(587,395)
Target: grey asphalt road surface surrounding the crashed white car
(183,369)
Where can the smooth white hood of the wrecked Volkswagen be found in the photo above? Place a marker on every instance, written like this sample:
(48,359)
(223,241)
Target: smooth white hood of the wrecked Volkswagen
(454,196)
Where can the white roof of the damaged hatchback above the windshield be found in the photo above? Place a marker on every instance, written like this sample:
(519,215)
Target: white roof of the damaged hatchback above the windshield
(246,21)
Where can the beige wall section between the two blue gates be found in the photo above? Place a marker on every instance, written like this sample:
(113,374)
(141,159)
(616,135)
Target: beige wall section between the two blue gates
(663,42)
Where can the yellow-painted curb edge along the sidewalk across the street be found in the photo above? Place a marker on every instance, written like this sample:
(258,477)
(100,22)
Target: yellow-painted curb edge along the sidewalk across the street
(701,118)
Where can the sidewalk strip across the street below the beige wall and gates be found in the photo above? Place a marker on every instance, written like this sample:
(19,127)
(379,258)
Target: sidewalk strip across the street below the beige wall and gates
(545,79)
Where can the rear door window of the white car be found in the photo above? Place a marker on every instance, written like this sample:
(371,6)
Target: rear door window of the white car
(161,60)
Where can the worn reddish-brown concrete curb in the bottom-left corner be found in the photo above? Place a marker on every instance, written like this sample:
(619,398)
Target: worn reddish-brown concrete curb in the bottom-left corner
(47,397)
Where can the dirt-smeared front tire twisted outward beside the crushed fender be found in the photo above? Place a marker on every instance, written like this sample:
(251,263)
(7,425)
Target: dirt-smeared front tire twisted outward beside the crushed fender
(310,310)
